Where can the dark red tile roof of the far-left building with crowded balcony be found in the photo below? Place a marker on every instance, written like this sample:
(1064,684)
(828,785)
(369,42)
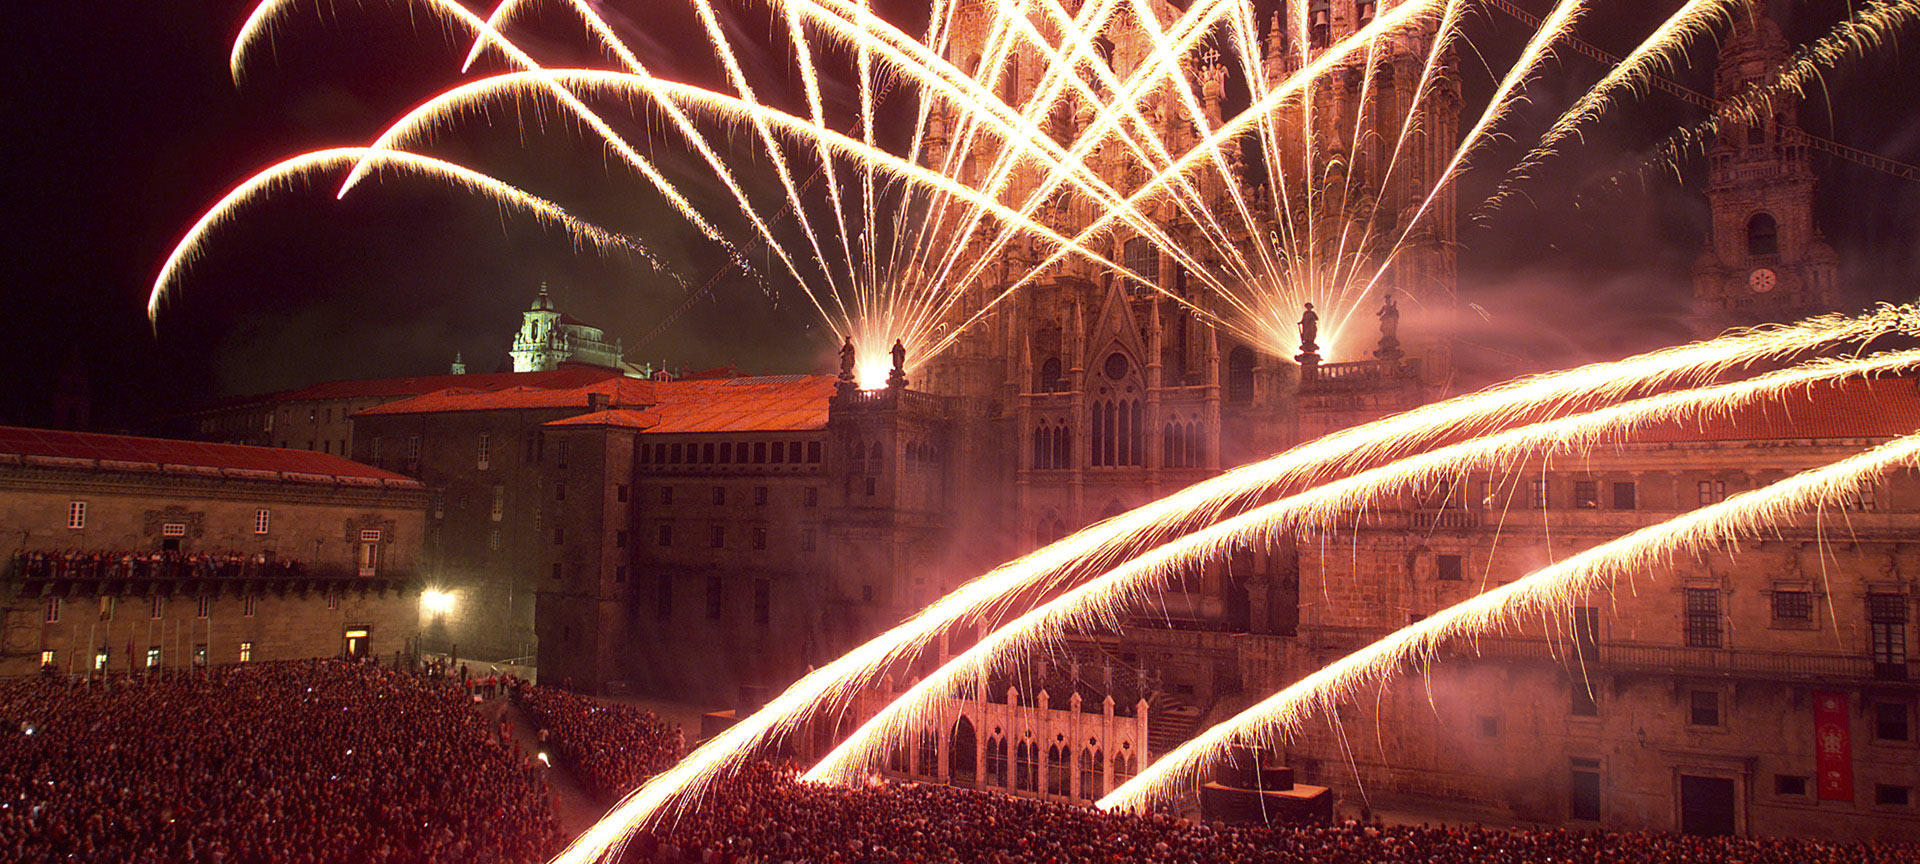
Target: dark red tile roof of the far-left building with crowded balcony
(95,452)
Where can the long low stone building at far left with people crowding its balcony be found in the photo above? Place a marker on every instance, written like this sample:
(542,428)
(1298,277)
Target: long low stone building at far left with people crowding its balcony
(130,554)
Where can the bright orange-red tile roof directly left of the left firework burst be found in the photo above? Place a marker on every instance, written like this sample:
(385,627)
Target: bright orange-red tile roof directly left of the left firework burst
(765,404)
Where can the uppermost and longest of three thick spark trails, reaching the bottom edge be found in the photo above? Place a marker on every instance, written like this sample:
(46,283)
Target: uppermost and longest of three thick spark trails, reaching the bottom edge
(832,686)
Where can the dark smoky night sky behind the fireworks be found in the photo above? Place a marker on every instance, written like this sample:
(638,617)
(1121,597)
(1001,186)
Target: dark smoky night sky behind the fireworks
(126,128)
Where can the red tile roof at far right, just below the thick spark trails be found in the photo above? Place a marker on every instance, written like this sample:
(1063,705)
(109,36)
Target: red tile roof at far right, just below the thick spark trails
(1860,408)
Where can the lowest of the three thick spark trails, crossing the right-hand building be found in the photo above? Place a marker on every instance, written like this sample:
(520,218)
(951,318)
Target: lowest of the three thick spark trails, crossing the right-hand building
(1541,592)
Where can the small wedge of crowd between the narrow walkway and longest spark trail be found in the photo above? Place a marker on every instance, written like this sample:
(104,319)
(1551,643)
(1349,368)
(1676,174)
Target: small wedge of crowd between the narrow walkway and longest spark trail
(610,748)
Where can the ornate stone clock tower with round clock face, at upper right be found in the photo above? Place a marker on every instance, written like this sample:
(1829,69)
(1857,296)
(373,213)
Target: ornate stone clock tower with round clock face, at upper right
(1764,258)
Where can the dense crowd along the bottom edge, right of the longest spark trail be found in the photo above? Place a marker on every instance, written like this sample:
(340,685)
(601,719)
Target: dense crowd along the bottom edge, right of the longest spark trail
(763,815)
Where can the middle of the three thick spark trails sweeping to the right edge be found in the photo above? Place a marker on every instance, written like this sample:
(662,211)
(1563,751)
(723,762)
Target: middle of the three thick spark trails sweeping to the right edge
(1105,600)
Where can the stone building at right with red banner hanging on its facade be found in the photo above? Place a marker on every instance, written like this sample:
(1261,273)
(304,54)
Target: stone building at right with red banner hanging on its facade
(1702,696)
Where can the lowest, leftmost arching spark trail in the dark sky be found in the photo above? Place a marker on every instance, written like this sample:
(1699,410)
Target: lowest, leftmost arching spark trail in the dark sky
(291,172)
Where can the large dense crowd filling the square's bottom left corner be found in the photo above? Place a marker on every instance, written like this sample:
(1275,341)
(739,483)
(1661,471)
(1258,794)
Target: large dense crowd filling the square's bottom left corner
(300,763)
